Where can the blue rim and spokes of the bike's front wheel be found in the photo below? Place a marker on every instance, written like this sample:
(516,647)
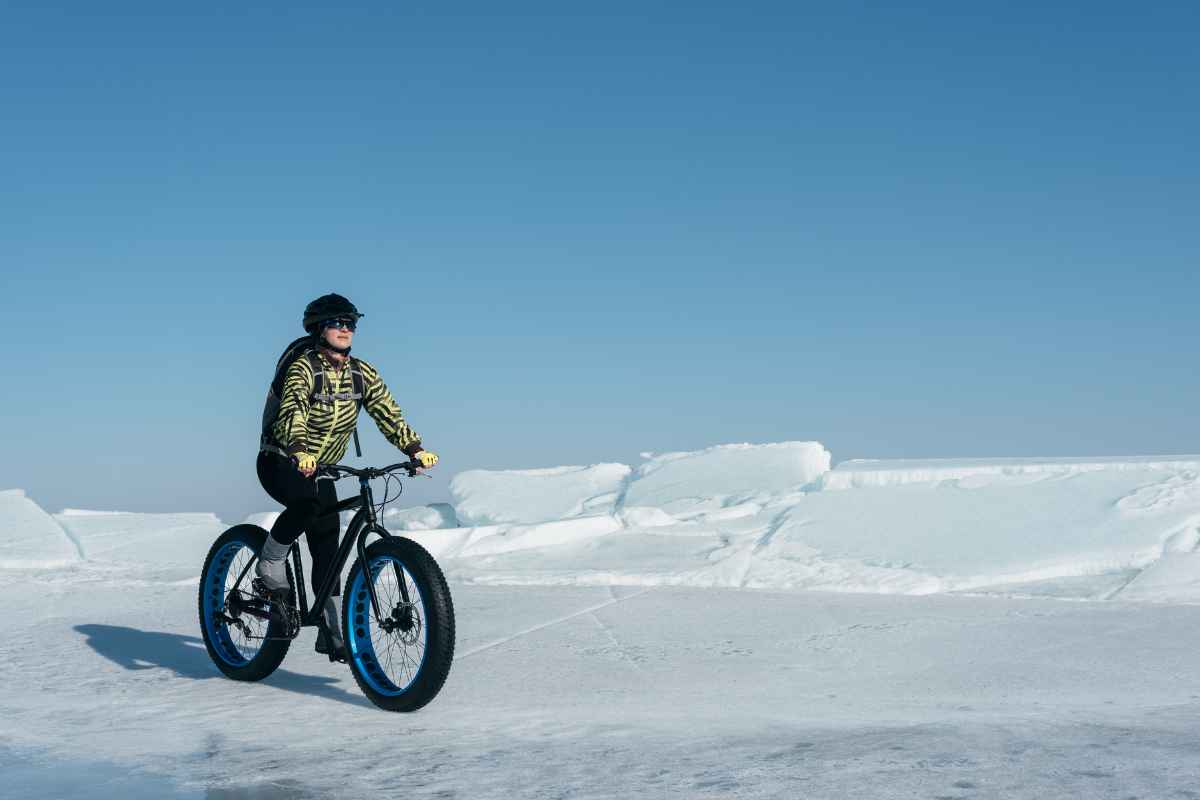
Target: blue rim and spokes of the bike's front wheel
(389,663)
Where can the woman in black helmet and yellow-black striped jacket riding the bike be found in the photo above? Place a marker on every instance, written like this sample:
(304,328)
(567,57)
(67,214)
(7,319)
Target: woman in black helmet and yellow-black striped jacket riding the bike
(316,429)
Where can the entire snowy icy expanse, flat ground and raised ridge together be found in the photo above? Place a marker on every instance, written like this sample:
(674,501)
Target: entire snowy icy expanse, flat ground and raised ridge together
(700,624)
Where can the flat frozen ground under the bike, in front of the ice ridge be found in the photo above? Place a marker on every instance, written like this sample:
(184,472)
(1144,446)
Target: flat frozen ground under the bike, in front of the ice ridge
(592,693)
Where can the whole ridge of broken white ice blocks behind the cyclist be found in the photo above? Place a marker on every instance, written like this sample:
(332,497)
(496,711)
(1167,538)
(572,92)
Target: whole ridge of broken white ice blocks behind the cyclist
(766,518)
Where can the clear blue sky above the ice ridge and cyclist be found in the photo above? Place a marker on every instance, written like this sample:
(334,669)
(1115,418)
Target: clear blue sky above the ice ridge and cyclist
(578,236)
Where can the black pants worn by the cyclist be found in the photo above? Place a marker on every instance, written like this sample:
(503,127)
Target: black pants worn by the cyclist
(308,506)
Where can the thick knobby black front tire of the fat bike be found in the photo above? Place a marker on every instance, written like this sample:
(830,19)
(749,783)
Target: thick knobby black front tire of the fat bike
(440,624)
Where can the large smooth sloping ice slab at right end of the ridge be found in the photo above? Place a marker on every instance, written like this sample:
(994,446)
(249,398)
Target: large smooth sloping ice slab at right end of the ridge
(1003,530)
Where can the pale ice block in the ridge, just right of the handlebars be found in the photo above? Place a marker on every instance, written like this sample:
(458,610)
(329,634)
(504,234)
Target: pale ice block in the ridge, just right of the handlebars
(531,496)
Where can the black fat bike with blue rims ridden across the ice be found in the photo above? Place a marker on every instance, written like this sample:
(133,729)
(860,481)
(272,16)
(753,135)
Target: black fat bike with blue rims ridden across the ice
(398,617)
